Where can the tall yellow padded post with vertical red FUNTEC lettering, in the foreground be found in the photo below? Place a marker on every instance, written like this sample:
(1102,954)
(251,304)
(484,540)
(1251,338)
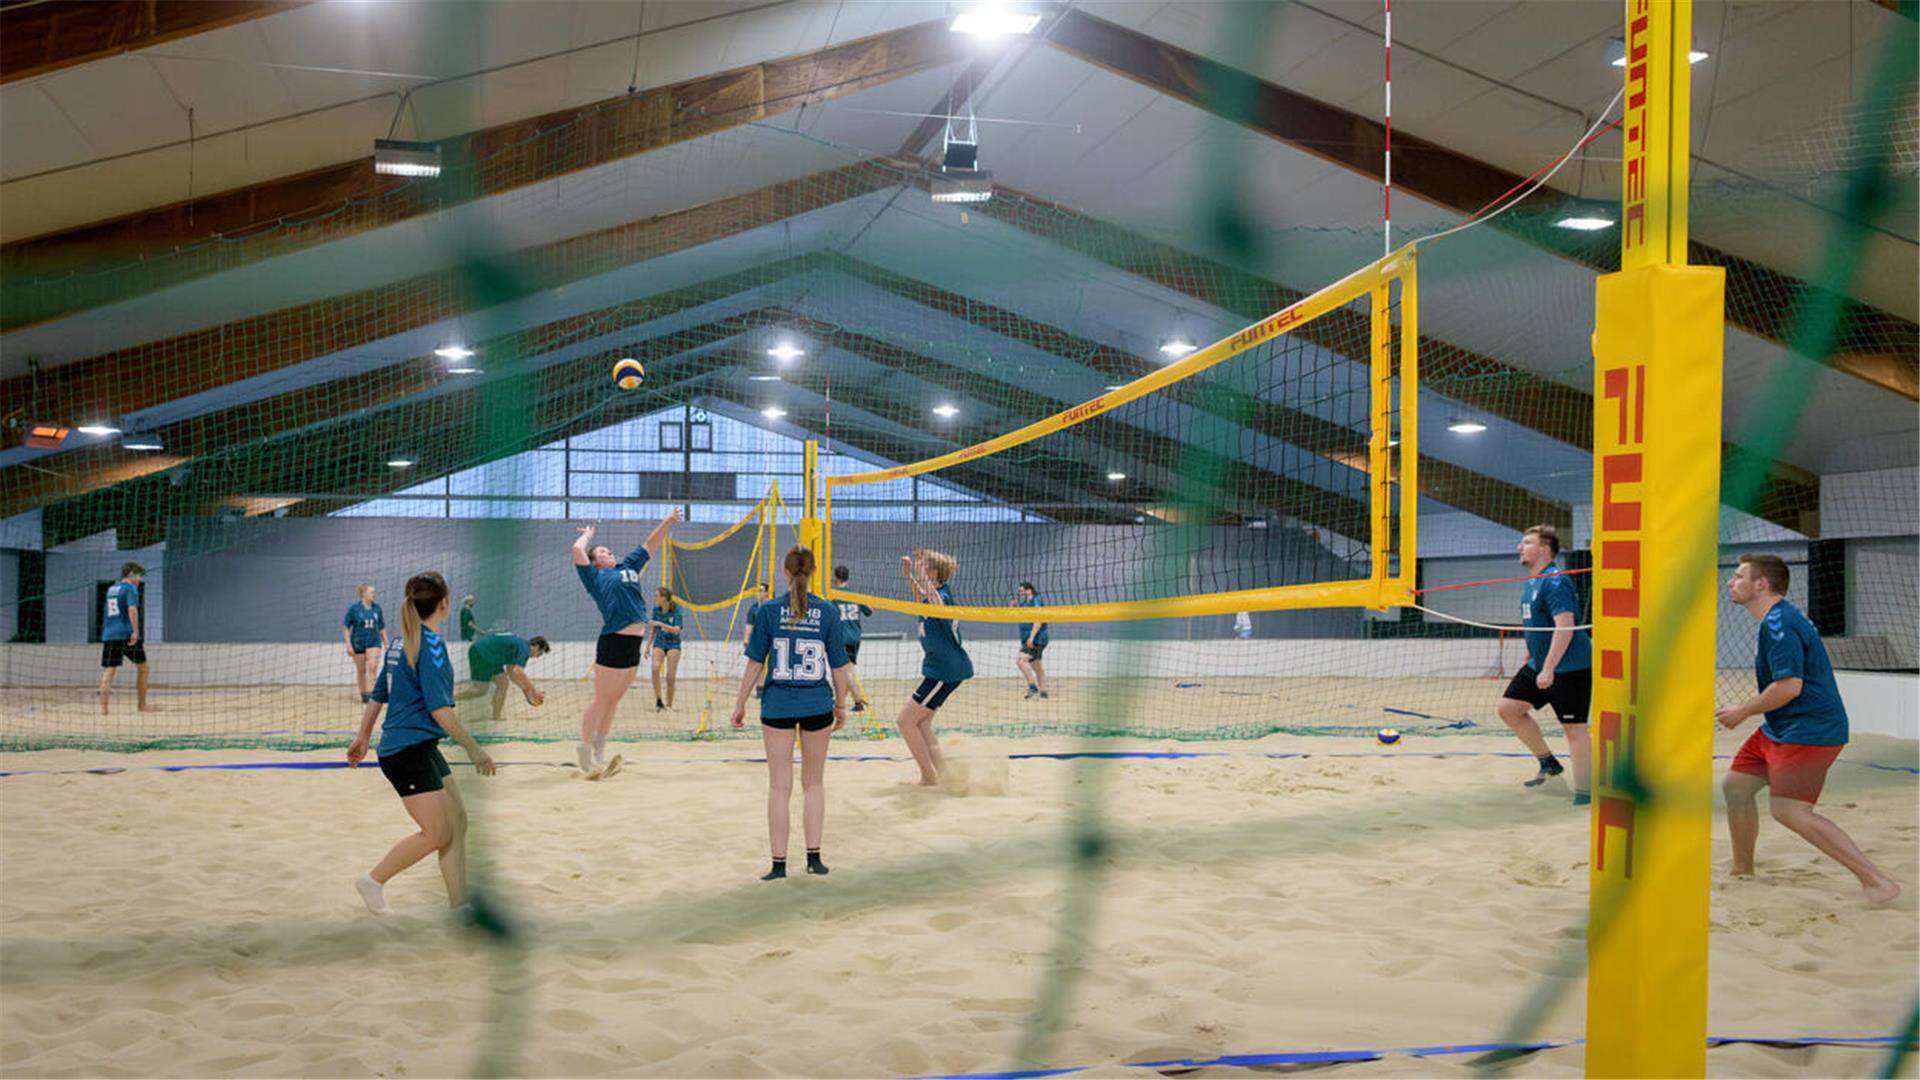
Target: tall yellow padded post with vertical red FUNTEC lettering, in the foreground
(1656,529)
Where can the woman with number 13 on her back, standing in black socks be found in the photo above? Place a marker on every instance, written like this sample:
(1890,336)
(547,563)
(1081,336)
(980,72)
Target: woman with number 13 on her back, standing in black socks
(807,647)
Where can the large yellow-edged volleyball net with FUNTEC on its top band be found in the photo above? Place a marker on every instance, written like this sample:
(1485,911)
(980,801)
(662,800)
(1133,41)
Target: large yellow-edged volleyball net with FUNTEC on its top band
(1293,474)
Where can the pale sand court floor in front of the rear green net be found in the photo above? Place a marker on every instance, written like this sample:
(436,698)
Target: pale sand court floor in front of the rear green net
(203,921)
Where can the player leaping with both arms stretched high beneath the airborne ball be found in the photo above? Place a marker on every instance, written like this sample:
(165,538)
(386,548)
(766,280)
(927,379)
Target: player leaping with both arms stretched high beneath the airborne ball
(613,583)
